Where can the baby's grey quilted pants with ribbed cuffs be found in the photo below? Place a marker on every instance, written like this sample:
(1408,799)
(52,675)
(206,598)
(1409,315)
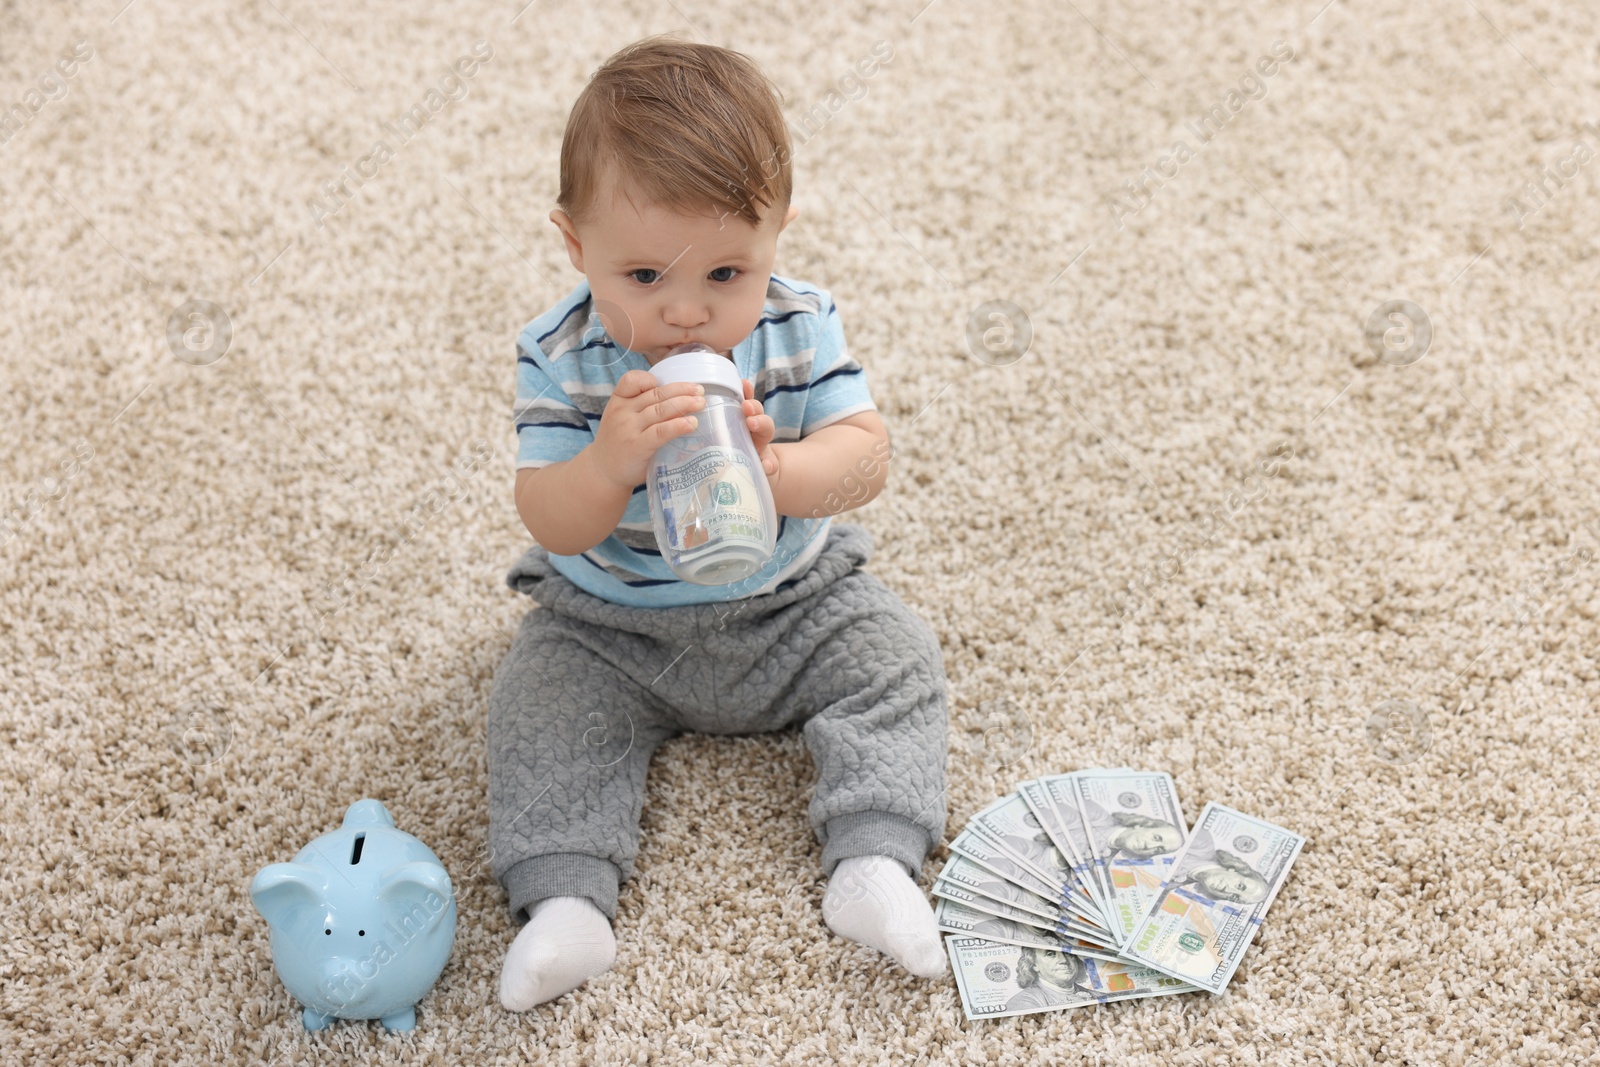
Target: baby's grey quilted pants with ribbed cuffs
(590,689)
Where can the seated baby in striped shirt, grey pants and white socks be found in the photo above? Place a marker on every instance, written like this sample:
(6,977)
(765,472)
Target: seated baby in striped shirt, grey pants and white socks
(674,190)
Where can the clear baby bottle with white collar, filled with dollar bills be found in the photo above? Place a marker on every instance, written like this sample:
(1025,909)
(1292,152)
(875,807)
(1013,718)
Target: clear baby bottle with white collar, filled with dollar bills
(710,500)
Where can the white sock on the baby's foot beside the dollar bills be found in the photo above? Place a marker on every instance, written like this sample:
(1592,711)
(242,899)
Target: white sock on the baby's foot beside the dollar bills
(871,900)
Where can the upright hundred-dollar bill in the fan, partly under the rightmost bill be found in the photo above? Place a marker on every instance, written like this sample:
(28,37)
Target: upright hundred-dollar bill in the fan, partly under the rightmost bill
(1135,831)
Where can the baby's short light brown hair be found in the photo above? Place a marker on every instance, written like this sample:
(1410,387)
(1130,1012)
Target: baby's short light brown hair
(686,127)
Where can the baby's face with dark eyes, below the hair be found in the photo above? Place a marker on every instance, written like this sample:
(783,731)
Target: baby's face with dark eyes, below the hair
(663,279)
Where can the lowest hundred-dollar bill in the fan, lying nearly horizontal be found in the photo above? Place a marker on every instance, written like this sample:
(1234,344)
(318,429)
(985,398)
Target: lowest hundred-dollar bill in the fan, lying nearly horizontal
(1001,980)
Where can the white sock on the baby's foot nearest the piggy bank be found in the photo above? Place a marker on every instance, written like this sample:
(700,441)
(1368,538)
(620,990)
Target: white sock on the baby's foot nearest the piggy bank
(566,943)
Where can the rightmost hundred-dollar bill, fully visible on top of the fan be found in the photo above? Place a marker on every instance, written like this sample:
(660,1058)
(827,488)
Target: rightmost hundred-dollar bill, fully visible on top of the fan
(1215,897)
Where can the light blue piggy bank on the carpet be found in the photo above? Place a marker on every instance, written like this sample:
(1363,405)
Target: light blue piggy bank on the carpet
(362,921)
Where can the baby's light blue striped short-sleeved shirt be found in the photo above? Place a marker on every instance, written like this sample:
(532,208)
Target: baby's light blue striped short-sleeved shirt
(567,369)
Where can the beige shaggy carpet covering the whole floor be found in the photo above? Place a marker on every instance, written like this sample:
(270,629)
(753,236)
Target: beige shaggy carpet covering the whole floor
(244,591)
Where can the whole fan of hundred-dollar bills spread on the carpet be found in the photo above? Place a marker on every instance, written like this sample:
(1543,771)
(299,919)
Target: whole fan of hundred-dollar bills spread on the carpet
(1087,889)
